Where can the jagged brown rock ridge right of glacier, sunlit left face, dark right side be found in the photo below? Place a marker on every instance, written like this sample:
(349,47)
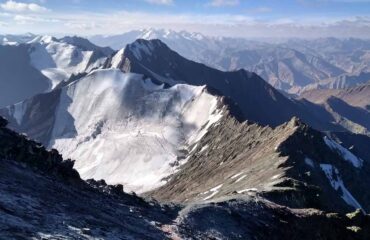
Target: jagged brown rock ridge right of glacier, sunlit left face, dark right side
(285,164)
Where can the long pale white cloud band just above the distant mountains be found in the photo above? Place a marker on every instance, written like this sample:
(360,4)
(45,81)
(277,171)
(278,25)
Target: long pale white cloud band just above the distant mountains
(229,25)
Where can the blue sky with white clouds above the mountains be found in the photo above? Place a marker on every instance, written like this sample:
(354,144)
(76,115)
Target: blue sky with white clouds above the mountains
(242,18)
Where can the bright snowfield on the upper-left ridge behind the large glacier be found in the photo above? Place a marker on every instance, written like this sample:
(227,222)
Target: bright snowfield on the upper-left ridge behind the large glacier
(59,60)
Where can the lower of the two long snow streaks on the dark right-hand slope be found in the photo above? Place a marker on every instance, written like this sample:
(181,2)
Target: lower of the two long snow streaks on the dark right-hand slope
(336,182)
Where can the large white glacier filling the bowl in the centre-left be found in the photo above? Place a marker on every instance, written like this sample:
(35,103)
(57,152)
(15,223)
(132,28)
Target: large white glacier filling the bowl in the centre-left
(124,129)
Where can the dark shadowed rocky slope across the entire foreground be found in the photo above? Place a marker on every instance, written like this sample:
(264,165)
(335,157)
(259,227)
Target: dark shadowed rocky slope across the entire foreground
(42,197)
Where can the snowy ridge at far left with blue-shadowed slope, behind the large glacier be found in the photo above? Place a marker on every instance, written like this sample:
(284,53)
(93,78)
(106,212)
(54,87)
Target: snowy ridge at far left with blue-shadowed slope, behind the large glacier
(38,64)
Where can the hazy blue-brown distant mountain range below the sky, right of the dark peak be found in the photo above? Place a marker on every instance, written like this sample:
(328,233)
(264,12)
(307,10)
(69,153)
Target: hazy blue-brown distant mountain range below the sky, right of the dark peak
(291,65)
